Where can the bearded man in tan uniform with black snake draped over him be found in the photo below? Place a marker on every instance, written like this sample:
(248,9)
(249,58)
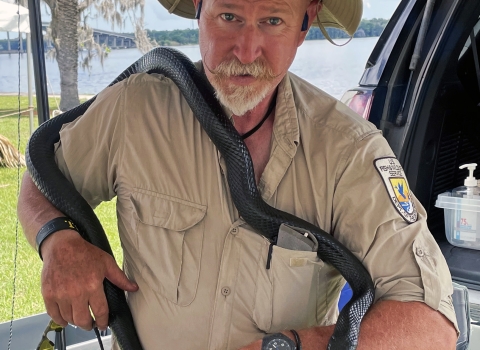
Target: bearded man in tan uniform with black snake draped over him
(200,272)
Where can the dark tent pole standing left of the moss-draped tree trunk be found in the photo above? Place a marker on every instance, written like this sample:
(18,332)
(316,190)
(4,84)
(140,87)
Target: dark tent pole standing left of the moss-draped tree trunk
(41,90)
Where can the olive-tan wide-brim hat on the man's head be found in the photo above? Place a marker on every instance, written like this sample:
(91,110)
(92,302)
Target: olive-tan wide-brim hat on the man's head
(342,14)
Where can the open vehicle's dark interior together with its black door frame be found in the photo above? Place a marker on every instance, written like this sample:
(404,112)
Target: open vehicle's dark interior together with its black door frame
(431,116)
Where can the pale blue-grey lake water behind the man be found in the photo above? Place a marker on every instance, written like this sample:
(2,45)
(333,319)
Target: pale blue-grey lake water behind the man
(333,69)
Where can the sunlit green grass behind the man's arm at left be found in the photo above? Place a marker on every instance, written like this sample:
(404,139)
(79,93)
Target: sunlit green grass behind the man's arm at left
(28,300)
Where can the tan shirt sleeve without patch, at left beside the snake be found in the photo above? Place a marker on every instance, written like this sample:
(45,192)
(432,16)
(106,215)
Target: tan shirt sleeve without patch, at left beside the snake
(90,148)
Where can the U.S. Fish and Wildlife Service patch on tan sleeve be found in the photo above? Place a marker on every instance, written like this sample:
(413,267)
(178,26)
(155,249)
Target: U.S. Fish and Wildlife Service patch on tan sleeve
(394,179)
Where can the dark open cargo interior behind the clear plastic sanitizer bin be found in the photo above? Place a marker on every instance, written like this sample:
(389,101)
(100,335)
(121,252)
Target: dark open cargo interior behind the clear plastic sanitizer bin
(445,137)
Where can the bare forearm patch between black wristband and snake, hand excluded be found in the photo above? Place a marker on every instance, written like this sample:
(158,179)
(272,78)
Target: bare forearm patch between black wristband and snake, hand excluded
(33,210)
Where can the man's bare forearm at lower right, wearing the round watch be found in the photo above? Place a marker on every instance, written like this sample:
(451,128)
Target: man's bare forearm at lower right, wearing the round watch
(393,325)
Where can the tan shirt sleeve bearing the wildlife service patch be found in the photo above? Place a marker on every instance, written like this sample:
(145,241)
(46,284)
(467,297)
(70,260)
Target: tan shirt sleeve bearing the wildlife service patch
(401,256)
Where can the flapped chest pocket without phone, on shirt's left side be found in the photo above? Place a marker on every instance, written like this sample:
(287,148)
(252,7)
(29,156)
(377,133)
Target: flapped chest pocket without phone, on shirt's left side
(170,239)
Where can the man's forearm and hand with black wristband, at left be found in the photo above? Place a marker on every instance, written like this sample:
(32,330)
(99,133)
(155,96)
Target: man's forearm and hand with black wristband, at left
(73,269)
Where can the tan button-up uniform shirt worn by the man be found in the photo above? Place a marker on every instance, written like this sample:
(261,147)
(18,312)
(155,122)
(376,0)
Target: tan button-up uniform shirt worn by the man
(200,268)
